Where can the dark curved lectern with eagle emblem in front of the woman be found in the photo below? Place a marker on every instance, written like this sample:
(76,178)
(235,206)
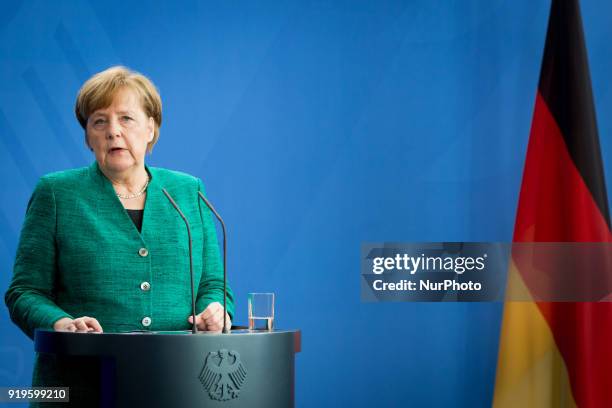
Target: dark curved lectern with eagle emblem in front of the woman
(178,369)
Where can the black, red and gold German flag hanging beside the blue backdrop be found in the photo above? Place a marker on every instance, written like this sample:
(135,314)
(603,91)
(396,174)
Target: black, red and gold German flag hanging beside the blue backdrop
(559,354)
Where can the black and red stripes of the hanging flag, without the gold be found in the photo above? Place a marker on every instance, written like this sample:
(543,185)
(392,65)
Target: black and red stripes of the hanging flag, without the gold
(563,198)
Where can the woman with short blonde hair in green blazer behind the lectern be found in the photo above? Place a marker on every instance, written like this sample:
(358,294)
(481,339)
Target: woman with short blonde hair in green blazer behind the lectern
(102,248)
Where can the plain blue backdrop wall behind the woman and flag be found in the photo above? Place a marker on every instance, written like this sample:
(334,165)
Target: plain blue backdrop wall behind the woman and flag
(329,123)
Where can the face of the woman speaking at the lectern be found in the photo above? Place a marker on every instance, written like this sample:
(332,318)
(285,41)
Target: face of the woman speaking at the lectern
(119,134)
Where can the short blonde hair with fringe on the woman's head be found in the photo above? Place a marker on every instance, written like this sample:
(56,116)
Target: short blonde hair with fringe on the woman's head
(99,90)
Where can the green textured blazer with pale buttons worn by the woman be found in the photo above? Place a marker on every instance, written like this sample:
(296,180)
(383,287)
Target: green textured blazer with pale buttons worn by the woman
(80,254)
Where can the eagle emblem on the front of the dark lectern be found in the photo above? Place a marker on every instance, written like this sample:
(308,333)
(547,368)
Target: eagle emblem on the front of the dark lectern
(223,374)
